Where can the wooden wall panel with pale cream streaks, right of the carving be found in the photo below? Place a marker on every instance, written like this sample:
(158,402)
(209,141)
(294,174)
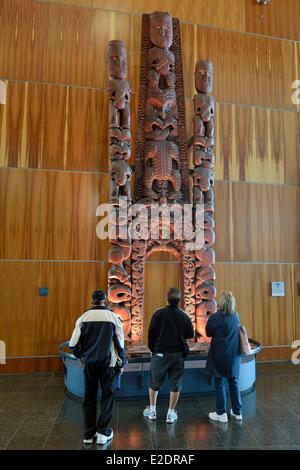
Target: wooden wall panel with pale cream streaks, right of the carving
(257,144)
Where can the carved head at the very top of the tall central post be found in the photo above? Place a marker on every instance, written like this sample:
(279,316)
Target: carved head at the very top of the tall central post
(161,29)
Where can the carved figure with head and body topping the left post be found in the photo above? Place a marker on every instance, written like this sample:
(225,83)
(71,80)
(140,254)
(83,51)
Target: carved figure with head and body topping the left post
(118,86)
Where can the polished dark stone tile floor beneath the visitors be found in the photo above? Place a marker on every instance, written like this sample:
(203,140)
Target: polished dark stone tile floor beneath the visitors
(35,413)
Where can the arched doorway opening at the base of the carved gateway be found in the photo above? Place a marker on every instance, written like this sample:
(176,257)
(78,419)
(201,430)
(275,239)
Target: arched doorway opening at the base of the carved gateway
(162,271)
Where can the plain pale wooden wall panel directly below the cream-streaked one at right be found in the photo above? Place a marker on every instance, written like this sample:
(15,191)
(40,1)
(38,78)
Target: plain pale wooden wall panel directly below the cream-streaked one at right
(265,223)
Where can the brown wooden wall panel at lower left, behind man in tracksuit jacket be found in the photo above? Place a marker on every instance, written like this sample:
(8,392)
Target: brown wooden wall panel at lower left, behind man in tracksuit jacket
(34,326)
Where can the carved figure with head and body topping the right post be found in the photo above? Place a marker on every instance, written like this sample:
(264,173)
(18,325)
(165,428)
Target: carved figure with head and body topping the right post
(203,101)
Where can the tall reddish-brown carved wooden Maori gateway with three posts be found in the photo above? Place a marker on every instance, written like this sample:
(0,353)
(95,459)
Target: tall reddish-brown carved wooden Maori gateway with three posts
(162,176)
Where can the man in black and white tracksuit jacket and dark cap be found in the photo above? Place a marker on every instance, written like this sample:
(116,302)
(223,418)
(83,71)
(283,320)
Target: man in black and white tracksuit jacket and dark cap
(98,341)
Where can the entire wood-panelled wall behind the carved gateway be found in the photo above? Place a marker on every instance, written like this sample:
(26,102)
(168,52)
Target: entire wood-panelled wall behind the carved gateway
(54,161)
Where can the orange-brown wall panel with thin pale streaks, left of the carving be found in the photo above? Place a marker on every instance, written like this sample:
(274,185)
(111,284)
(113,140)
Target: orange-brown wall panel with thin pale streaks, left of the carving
(55,127)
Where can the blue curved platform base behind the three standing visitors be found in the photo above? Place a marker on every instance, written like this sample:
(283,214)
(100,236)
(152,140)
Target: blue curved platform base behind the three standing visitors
(135,378)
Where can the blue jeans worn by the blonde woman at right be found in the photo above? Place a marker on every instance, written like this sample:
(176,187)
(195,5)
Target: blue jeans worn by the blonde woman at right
(235,395)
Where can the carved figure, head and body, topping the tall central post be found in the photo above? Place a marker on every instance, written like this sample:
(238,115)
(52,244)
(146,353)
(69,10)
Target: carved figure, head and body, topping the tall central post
(161,59)
